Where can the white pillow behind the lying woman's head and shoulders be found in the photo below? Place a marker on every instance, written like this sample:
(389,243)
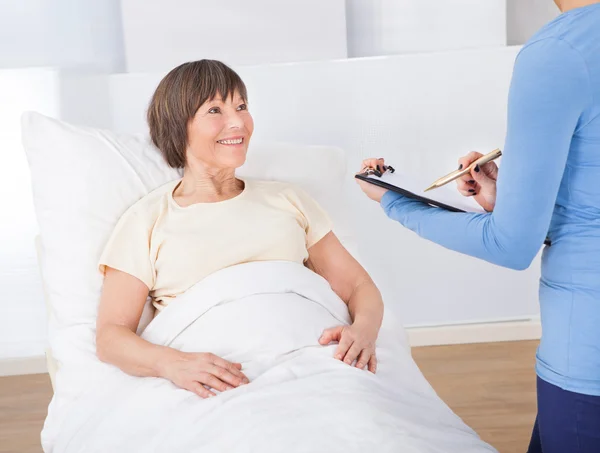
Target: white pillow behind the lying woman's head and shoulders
(83,180)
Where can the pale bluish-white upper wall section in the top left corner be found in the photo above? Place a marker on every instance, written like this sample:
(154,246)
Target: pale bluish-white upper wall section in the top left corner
(61,33)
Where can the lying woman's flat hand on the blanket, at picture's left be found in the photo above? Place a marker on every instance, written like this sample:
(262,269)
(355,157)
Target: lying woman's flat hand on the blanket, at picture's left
(193,370)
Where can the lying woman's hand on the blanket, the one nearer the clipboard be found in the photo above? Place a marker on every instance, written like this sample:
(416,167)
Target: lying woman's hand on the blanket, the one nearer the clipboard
(355,342)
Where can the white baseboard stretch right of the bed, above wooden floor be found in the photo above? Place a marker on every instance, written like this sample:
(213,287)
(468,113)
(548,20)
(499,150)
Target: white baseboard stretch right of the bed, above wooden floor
(489,332)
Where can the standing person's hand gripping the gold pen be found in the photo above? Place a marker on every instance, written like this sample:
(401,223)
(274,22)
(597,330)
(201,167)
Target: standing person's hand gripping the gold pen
(480,183)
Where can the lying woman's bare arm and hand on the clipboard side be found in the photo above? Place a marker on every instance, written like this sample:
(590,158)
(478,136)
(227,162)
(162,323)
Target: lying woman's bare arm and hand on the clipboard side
(353,285)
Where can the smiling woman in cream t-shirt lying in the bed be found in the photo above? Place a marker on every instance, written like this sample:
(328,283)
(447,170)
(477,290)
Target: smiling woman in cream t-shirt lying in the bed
(209,220)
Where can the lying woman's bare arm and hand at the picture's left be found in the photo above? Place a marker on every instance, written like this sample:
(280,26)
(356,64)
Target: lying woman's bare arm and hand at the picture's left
(121,305)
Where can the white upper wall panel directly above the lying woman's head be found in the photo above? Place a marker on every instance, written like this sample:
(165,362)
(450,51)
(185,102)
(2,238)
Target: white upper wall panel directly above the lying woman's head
(161,34)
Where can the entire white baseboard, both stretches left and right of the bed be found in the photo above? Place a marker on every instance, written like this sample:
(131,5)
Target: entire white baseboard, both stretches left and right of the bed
(488,332)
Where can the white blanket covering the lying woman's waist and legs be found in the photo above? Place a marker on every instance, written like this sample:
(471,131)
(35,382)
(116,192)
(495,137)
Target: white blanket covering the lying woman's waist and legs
(269,317)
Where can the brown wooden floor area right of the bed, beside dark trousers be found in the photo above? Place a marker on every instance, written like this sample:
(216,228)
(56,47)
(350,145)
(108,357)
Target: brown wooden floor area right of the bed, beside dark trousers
(491,386)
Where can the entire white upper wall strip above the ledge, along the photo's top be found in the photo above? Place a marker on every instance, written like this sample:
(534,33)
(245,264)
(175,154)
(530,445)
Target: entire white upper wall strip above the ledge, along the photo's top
(89,33)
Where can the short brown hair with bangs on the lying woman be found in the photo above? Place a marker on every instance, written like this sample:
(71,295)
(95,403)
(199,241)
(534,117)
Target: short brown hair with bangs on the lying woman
(177,98)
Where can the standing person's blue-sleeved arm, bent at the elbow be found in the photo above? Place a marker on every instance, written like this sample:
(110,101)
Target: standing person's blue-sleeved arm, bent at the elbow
(549,91)
